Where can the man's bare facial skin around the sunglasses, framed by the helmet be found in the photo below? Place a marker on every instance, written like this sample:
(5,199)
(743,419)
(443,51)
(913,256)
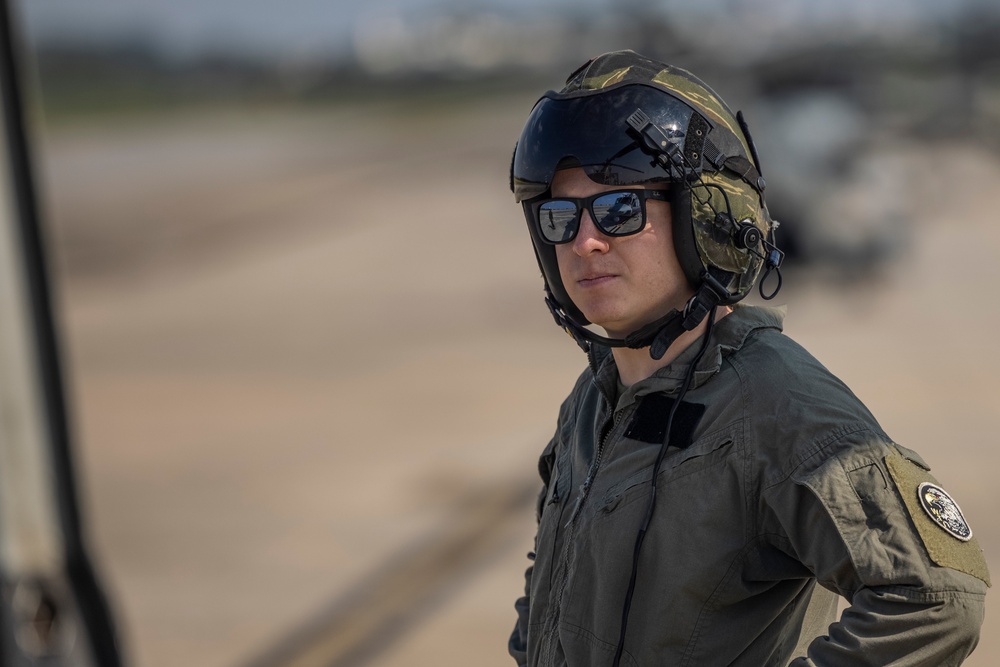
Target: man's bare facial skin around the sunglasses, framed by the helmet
(619,283)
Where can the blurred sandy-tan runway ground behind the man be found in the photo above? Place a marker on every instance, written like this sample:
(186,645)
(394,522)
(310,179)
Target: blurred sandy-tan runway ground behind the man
(309,349)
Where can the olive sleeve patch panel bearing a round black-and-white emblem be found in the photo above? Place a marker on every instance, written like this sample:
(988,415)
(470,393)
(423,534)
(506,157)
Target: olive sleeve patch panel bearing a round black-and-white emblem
(939,521)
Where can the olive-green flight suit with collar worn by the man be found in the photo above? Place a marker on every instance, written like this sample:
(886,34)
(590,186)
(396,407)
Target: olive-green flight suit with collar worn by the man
(779,492)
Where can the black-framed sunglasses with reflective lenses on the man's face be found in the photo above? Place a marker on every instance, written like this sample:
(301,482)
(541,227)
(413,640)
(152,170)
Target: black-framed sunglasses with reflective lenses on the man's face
(616,213)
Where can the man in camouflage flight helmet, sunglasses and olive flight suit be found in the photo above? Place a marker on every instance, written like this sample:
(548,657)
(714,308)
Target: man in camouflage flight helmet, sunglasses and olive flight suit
(711,489)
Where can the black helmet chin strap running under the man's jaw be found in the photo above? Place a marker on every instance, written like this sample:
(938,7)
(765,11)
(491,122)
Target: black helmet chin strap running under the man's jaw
(658,335)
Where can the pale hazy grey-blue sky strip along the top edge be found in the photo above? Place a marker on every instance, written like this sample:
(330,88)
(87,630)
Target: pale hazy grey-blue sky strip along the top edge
(181,28)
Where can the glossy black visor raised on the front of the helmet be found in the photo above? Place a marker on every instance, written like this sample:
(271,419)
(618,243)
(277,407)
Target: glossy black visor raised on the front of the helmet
(591,131)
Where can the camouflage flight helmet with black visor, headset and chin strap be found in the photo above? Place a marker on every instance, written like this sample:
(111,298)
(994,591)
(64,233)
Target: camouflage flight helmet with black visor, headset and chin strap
(628,120)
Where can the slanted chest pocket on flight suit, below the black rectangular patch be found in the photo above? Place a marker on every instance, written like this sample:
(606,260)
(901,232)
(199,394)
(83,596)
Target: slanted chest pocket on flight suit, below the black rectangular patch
(677,464)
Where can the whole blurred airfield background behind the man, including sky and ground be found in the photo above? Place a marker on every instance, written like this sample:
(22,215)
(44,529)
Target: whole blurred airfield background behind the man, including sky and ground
(310,367)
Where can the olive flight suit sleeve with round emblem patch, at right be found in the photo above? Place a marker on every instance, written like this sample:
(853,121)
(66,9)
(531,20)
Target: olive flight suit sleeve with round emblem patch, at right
(916,584)
